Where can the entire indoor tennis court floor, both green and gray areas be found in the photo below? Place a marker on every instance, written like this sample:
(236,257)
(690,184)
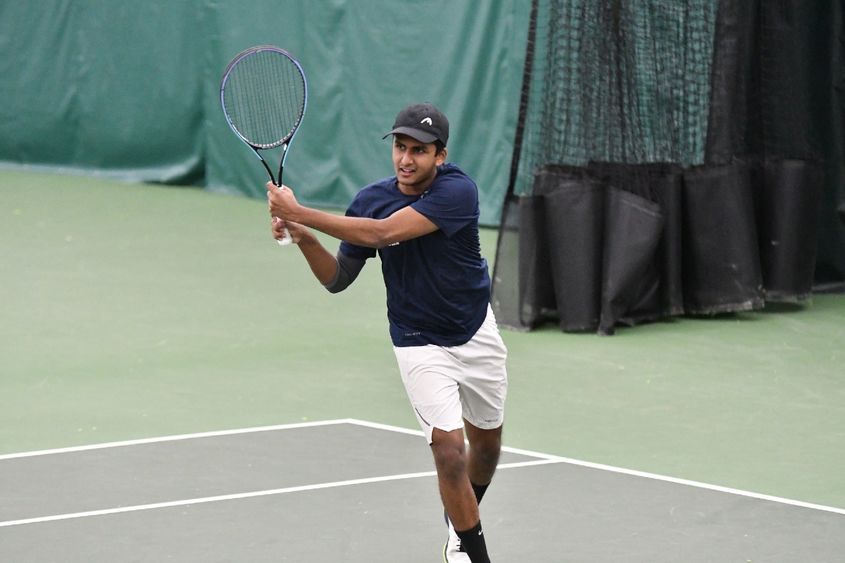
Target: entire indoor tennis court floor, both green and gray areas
(139,313)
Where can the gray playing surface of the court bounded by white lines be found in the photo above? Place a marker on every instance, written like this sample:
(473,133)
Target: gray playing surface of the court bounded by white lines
(351,491)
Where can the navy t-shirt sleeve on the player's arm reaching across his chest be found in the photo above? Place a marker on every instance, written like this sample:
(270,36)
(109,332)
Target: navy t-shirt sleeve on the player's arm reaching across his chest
(451,205)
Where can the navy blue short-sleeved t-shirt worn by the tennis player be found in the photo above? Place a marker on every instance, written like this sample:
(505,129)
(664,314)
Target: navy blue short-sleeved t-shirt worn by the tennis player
(438,286)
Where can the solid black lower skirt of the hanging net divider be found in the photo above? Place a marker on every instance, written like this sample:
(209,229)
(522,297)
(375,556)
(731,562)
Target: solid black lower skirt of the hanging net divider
(613,244)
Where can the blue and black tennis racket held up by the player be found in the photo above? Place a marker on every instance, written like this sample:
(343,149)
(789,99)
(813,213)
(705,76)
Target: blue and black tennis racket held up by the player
(264,95)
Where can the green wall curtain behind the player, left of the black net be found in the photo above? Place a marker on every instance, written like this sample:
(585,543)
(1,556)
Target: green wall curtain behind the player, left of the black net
(130,89)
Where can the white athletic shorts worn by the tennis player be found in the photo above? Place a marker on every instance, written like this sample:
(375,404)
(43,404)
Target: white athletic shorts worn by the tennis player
(447,384)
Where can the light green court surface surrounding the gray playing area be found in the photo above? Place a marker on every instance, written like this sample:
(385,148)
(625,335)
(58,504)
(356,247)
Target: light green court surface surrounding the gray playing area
(134,311)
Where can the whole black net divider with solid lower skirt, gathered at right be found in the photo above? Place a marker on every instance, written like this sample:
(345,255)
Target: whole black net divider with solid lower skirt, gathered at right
(673,157)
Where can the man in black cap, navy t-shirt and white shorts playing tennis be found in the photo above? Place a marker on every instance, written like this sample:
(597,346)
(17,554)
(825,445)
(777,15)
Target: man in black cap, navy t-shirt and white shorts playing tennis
(423,224)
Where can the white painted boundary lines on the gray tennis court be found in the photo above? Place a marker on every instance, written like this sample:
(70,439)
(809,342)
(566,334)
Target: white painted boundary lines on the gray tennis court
(543,459)
